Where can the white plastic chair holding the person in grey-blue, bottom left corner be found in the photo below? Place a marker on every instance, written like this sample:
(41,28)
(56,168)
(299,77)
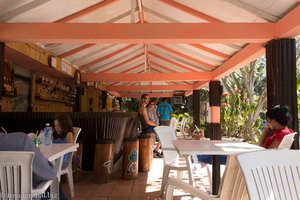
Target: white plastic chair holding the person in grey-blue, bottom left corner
(16,175)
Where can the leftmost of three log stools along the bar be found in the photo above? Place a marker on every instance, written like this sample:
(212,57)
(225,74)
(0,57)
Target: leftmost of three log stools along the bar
(103,163)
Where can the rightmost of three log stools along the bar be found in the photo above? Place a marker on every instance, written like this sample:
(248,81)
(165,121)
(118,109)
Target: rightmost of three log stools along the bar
(145,152)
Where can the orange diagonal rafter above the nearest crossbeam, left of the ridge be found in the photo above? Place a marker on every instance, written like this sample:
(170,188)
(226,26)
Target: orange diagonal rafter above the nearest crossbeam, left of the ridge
(86,11)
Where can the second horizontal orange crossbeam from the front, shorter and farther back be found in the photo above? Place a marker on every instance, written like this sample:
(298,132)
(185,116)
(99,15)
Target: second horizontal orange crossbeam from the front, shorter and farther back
(146,77)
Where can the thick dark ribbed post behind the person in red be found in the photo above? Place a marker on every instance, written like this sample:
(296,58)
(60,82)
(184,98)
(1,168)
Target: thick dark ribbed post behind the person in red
(282,79)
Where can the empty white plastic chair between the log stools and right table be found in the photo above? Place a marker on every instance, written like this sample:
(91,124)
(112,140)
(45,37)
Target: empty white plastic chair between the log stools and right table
(171,157)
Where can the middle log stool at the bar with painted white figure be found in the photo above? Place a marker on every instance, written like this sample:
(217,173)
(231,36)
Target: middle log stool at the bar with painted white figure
(130,158)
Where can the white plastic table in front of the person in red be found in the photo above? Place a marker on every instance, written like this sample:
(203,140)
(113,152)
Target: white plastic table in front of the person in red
(186,148)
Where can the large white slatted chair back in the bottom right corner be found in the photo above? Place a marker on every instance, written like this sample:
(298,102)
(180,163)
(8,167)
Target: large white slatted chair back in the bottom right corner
(271,173)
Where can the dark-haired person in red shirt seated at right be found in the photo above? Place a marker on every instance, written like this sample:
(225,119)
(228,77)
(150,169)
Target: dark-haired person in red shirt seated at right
(278,119)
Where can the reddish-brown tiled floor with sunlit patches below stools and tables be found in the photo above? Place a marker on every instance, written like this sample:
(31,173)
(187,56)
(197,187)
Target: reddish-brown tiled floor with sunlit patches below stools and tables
(146,186)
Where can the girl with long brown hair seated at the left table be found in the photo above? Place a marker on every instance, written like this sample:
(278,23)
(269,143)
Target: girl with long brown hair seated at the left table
(63,133)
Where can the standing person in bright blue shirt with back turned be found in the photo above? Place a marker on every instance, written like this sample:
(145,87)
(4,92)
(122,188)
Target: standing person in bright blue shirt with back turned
(164,110)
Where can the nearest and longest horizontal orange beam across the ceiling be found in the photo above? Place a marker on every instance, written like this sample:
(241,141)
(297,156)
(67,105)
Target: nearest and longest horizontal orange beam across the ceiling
(136,33)
